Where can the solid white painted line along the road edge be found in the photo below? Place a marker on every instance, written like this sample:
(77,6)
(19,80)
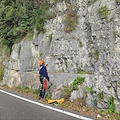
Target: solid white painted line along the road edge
(46,106)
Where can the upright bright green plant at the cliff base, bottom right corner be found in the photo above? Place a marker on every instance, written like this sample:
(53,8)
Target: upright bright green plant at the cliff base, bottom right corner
(111,105)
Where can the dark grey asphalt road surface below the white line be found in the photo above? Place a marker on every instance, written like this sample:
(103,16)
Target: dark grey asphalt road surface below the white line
(12,108)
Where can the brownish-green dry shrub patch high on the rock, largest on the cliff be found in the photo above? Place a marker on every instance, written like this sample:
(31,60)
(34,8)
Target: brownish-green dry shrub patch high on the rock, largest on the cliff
(70,20)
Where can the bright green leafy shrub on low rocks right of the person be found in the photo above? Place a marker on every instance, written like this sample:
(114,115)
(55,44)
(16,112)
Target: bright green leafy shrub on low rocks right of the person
(79,80)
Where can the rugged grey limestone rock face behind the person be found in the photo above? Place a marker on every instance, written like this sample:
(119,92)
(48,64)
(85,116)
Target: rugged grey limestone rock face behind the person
(93,46)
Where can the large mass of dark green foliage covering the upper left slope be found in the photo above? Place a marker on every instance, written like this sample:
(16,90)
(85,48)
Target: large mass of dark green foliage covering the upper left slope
(18,18)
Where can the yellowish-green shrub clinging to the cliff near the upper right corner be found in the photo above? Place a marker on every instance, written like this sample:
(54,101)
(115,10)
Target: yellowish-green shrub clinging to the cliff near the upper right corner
(103,12)
